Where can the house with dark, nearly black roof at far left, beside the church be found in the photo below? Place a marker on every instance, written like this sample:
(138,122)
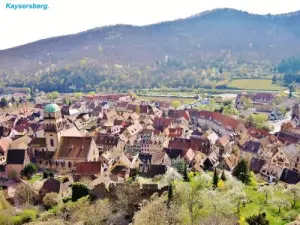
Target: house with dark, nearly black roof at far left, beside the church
(16,160)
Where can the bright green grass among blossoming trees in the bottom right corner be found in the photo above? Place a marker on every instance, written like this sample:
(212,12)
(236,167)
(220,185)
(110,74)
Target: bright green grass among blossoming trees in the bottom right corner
(257,204)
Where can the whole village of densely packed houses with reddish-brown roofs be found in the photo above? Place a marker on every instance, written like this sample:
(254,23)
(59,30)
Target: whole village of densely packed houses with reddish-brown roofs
(110,139)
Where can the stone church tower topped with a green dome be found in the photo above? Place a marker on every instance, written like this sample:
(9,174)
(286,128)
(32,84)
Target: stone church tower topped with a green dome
(53,126)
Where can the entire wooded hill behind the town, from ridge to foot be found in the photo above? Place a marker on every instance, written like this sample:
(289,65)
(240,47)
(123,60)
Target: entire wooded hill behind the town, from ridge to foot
(206,50)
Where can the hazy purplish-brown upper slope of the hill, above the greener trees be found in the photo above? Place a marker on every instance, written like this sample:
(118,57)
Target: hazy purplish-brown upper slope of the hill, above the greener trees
(217,33)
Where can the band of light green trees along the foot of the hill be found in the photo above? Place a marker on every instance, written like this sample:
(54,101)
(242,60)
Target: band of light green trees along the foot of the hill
(85,76)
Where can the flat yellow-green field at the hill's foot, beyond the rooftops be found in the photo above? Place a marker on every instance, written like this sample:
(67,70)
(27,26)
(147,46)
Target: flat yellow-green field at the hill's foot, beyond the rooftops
(254,84)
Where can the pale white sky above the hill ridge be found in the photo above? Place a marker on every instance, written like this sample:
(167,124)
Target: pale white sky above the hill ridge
(62,17)
